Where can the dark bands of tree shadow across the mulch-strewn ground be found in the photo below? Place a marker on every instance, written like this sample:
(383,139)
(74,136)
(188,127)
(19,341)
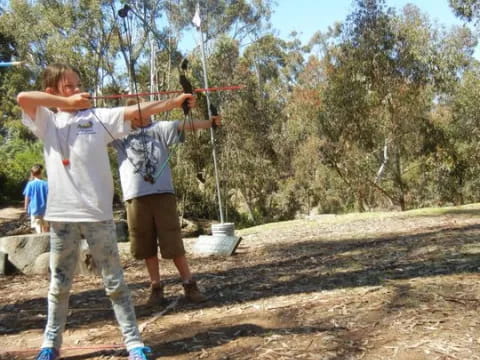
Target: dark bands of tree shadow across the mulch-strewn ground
(304,267)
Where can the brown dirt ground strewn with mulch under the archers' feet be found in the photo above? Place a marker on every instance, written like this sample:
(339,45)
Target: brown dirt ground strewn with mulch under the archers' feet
(363,286)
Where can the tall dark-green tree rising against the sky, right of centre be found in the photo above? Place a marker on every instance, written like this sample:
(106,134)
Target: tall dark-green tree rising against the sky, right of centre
(361,80)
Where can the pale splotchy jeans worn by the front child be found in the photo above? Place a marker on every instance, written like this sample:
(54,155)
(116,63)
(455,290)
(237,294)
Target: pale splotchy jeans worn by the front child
(64,252)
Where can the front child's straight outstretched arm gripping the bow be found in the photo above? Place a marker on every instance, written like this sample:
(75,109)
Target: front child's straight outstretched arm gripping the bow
(150,108)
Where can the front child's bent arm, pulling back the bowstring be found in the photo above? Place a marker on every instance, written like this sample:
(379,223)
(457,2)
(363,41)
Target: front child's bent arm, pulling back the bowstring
(30,100)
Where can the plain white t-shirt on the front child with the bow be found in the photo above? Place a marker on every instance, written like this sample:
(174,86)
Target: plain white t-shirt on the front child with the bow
(83,190)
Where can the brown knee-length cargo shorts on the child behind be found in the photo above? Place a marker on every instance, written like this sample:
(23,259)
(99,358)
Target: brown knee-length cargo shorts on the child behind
(152,224)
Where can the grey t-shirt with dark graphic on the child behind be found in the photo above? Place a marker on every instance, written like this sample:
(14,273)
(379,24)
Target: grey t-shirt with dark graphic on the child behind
(145,151)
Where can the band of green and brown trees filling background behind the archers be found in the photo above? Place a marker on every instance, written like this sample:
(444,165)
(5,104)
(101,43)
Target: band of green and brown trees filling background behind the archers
(383,115)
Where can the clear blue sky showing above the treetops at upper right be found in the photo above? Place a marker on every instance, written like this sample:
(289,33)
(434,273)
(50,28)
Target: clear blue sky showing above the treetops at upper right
(308,16)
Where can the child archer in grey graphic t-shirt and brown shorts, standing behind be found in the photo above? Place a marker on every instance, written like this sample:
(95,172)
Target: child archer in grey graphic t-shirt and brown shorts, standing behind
(150,199)
